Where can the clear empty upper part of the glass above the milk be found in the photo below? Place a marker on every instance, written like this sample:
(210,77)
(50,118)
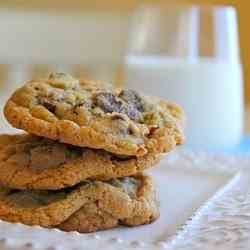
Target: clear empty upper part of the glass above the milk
(188,34)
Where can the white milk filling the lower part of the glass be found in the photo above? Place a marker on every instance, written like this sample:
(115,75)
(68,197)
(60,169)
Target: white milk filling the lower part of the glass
(210,91)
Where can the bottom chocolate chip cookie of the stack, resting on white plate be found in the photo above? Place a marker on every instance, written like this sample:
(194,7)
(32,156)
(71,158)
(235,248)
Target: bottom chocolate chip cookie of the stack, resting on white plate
(87,207)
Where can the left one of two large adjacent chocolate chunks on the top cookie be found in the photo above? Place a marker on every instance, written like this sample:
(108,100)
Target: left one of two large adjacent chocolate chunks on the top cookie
(109,103)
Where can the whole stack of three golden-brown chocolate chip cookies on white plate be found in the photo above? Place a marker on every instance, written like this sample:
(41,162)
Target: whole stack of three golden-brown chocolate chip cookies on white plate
(80,165)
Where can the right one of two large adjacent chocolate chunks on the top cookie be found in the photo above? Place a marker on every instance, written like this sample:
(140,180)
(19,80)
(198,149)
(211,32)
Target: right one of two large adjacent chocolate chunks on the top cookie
(132,98)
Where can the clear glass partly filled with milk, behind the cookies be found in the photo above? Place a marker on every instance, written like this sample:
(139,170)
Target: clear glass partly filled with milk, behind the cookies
(190,55)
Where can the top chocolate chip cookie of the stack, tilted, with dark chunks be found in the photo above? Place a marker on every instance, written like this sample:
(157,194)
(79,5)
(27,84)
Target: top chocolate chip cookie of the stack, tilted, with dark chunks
(95,115)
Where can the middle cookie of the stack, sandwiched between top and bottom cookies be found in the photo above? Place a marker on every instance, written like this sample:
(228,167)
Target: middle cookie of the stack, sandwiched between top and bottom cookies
(32,162)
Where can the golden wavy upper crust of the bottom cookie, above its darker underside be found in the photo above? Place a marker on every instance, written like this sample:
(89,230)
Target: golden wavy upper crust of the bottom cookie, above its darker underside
(124,198)
